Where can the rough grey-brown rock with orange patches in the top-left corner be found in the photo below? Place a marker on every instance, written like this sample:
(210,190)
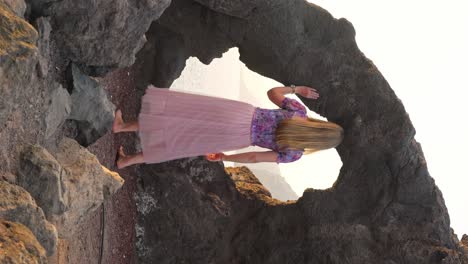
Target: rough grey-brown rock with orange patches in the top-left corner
(24,96)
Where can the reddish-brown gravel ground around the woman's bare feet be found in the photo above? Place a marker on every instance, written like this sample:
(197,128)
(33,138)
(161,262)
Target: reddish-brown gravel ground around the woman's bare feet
(108,234)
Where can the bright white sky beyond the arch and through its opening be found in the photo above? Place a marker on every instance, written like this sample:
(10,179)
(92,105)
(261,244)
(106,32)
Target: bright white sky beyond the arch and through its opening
(421,47)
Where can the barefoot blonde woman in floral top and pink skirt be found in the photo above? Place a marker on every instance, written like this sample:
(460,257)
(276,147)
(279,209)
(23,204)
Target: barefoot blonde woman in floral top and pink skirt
(176,125)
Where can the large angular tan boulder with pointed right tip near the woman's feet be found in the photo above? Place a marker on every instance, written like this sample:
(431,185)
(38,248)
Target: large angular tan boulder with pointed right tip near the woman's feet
(67,188)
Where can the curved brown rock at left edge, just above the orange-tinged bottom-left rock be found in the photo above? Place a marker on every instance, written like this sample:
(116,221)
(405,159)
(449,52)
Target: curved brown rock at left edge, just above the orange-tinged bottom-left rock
(17,205)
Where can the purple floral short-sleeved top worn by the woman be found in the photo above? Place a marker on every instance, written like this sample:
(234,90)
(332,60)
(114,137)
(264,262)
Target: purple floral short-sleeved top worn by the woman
(265,122)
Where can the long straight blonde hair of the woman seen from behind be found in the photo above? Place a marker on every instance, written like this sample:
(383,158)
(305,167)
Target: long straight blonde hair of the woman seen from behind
(308,134)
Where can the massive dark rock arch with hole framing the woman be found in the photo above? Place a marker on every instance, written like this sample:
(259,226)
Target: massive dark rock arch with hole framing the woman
(384,206)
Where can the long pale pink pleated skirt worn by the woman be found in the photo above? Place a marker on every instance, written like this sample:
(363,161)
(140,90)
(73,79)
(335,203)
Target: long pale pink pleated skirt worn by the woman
(177,125)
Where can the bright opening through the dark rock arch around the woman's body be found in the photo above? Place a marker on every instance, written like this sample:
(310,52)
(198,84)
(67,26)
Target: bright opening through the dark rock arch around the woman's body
(229,78)
